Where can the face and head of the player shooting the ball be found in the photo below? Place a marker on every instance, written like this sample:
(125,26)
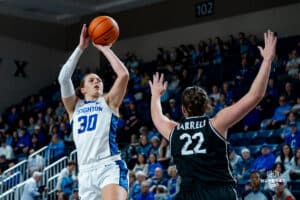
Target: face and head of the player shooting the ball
(93,86)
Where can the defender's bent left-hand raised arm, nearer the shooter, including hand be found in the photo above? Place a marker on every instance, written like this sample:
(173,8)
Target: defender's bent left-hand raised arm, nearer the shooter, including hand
(162,123)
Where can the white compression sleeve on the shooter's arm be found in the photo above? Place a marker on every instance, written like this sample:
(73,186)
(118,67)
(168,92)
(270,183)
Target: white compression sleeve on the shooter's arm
(64,78)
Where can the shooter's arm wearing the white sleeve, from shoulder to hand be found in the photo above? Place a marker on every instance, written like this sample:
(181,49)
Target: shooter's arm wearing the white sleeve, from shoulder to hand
(66,86)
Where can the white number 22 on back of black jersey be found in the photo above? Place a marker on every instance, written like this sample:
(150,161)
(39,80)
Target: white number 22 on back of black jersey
(190,140)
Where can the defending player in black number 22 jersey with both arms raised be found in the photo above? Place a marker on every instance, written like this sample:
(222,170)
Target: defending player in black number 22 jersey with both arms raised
(198,144)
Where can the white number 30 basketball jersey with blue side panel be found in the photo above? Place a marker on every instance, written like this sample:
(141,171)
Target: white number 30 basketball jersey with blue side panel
(94,131)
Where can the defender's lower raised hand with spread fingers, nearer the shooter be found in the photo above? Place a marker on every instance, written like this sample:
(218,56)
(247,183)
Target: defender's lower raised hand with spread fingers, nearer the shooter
(158,85)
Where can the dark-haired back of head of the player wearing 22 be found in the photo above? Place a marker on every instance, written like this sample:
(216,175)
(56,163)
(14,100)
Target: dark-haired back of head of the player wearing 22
(195,101)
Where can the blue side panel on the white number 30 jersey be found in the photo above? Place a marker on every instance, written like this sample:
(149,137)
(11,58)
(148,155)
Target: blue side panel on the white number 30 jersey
(113,135)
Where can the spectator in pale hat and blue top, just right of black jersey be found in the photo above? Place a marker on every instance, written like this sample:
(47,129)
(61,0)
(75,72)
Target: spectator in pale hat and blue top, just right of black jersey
(243,167)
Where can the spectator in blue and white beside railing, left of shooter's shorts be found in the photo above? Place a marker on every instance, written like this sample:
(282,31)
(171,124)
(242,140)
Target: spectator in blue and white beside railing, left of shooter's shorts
(66,179)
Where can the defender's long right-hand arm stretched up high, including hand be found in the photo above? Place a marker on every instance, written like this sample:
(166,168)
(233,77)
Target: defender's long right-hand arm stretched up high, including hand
(232,114)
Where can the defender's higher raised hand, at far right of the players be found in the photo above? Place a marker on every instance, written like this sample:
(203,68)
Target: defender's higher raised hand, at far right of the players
(268,53)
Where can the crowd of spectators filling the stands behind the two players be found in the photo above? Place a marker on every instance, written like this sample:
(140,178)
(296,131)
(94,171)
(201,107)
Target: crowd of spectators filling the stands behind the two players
(226,69)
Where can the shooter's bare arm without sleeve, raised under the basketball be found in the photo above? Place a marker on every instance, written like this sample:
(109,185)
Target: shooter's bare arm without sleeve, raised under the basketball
(117,92)
